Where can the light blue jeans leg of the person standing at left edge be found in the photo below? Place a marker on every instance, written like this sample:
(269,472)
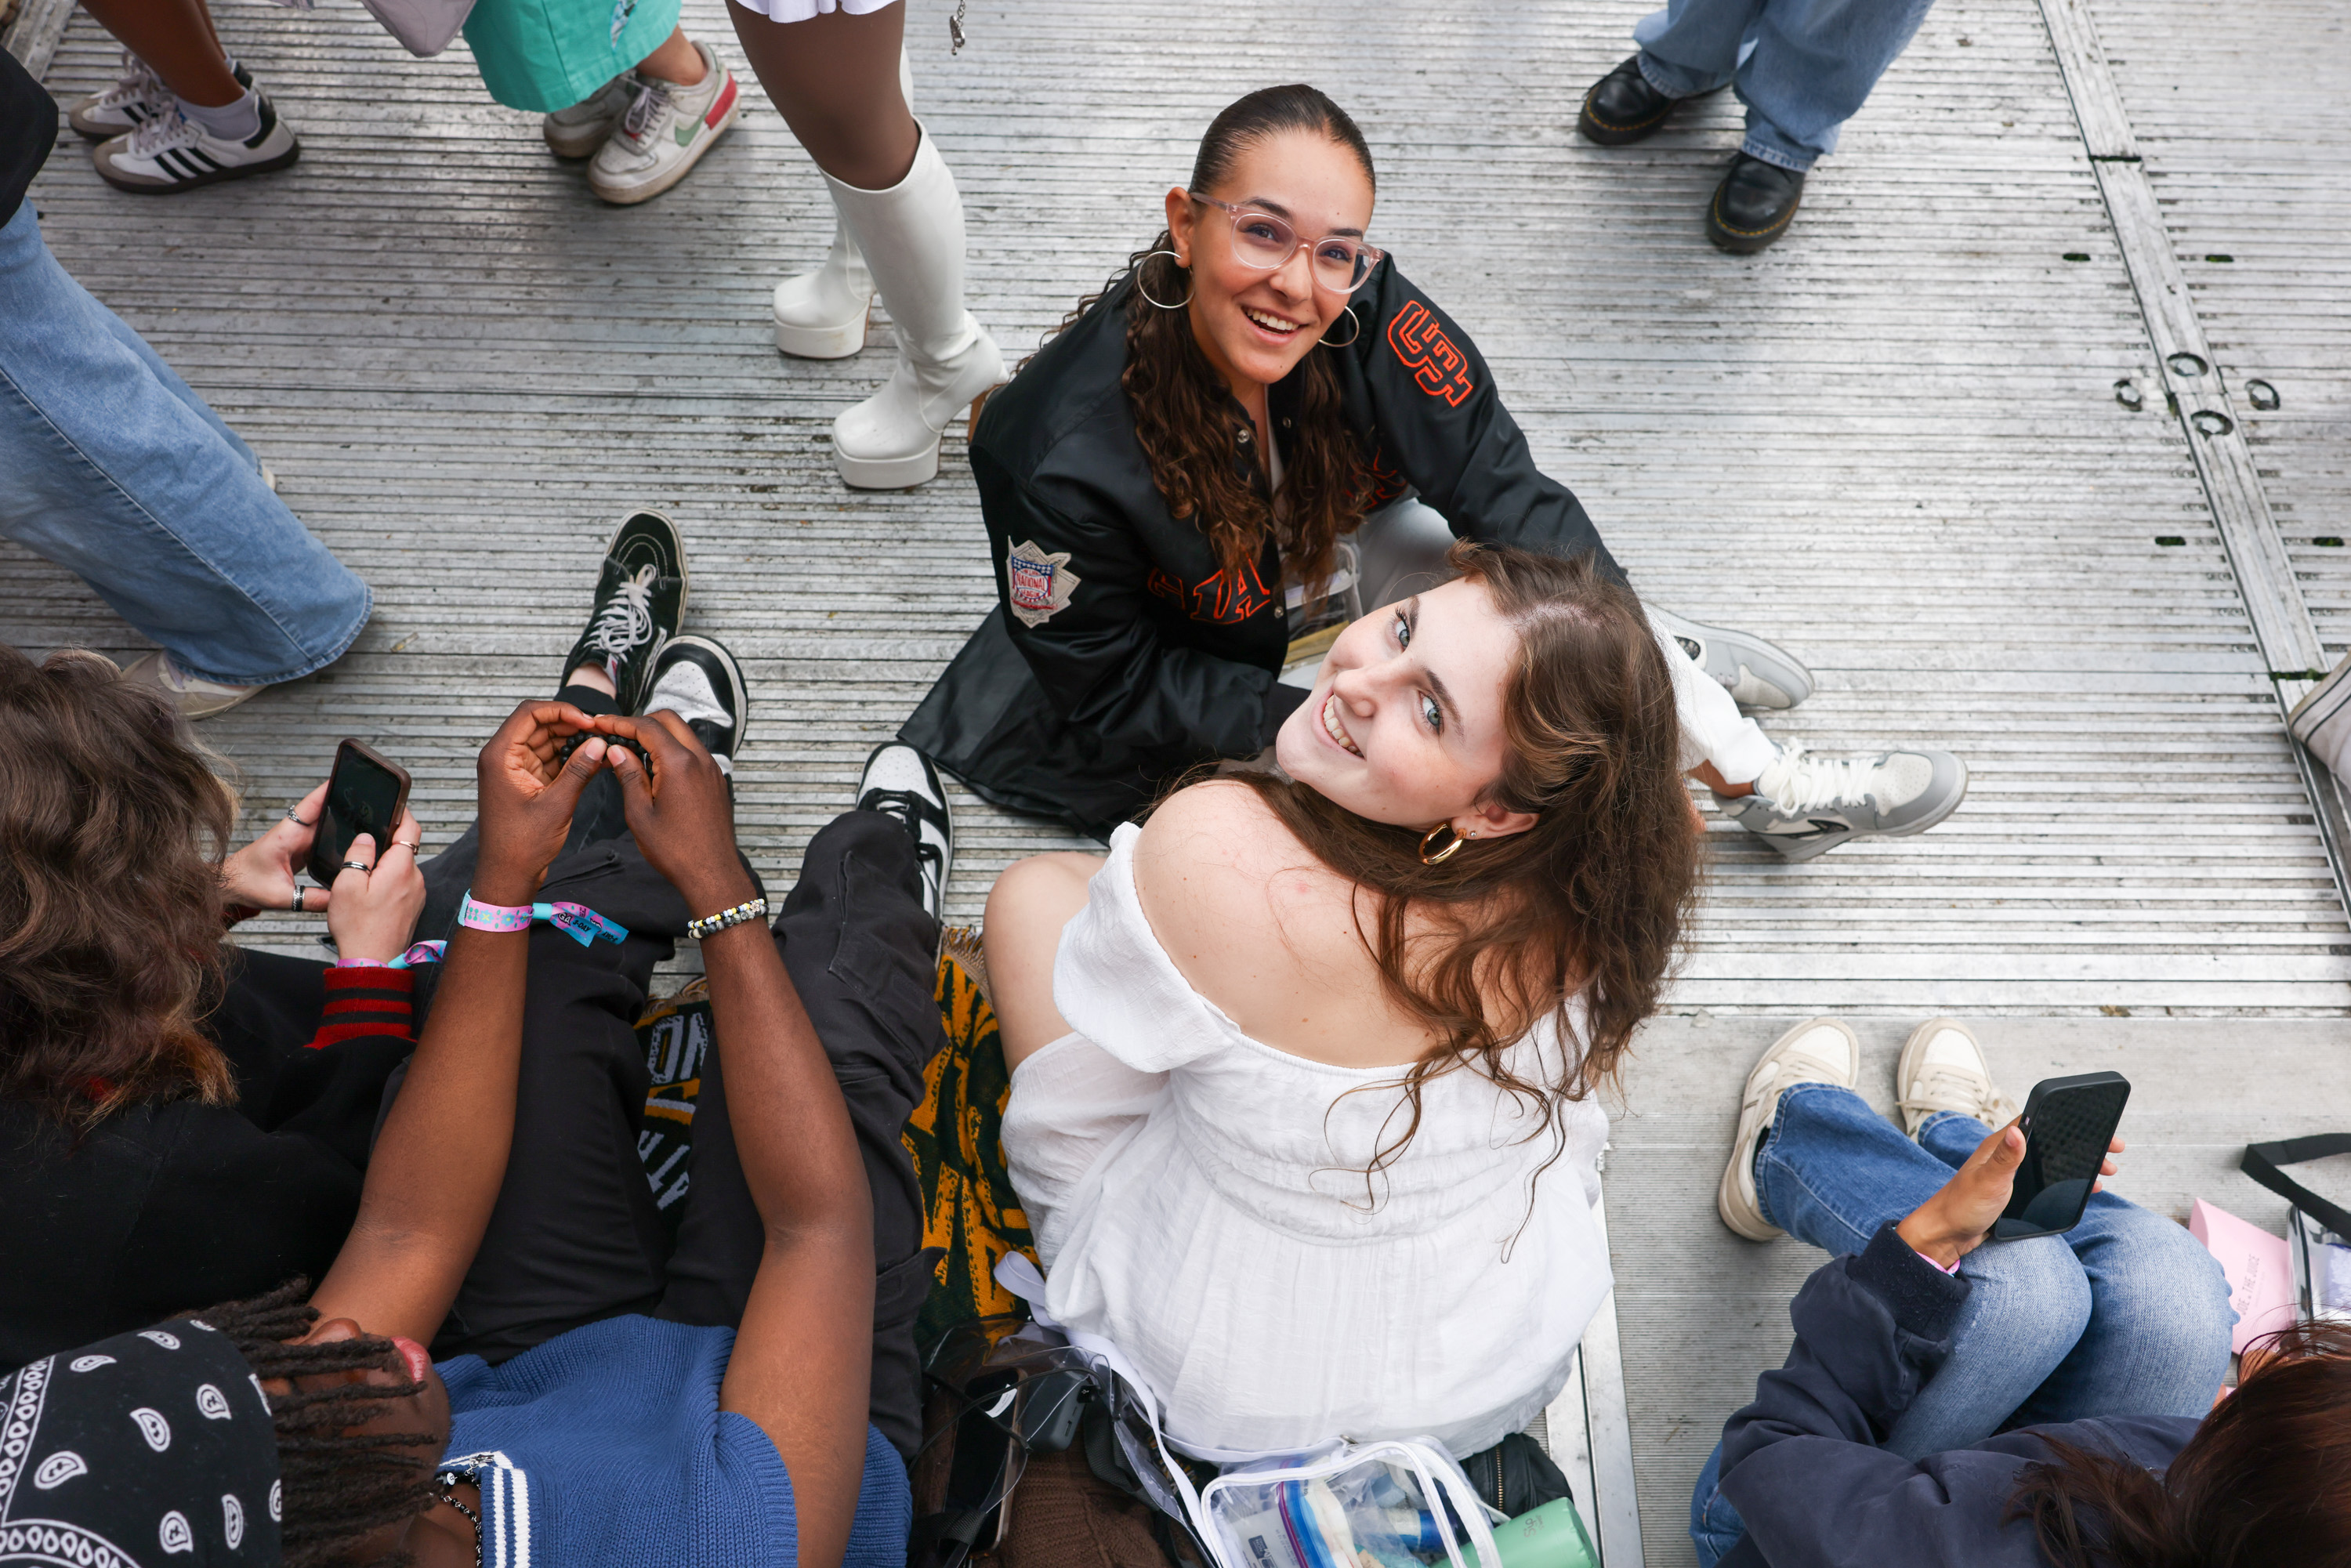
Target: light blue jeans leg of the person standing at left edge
(114,469)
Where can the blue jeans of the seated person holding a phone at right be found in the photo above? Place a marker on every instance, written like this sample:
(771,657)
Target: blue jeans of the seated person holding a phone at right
(2124,1315)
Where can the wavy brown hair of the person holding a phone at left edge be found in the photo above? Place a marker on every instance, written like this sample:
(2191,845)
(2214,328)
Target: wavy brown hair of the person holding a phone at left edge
(112,840)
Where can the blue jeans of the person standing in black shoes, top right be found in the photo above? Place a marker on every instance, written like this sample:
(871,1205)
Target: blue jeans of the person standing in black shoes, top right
(1802,67)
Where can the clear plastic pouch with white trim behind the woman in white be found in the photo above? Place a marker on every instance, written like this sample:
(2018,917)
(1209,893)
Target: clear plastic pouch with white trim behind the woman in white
(1398,1503)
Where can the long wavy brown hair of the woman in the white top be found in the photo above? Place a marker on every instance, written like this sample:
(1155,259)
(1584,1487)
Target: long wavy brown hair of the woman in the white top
(1588,904)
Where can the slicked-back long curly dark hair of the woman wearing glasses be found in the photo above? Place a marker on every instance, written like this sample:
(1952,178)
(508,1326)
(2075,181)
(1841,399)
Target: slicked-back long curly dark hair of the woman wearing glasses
(1184,410)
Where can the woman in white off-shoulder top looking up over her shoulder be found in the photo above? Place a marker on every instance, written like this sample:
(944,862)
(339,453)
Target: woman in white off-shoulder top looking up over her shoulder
(1304,1073)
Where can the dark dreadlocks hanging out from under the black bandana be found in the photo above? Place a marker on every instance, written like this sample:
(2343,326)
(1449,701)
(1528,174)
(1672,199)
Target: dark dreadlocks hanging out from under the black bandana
(340,1487)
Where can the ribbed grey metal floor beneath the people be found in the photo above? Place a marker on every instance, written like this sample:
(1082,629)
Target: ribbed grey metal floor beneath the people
(1889,443)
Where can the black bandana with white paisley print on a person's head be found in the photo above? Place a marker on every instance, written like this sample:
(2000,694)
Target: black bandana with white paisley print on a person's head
(142,1452)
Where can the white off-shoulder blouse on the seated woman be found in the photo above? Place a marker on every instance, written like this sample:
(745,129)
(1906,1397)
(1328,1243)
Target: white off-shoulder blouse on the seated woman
(1200,1202)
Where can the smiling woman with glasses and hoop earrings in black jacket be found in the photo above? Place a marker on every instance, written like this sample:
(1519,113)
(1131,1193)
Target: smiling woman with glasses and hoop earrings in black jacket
(1254,434)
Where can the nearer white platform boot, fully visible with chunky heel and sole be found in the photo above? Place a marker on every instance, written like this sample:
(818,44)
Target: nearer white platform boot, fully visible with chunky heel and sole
(913,243)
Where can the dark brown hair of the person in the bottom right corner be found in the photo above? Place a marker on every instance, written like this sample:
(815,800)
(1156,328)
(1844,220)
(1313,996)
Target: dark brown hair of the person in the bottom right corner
(2263,1485)
